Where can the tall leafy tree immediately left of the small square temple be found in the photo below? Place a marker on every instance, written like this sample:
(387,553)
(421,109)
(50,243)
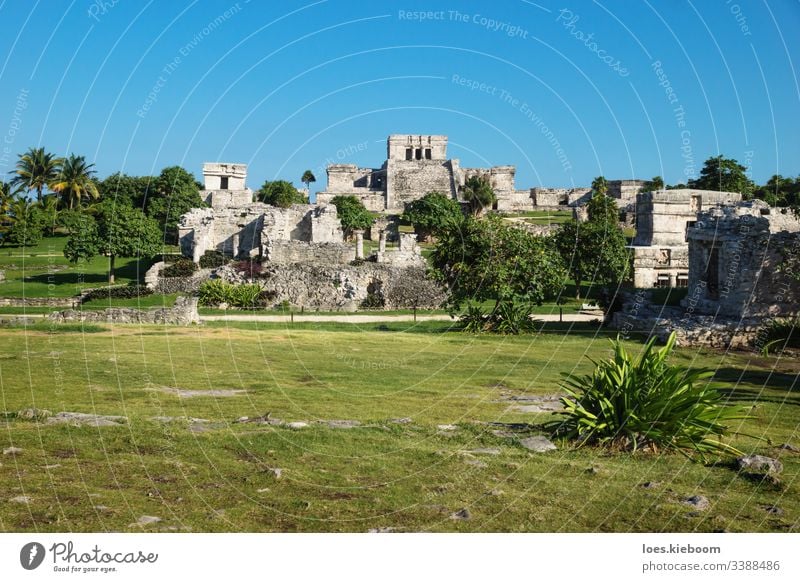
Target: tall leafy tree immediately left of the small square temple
(174,193)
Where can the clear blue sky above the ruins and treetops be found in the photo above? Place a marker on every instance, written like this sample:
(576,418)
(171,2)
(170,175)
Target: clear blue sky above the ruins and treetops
(565,91)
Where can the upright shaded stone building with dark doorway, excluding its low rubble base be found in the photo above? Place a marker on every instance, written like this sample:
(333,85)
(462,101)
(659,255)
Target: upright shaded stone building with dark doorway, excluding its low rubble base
(737,261)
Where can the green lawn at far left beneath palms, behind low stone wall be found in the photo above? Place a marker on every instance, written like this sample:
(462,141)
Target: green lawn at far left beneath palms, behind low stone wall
(42,271)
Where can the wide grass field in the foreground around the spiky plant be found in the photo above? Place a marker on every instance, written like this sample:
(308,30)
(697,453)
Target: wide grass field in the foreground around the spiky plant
(203,471)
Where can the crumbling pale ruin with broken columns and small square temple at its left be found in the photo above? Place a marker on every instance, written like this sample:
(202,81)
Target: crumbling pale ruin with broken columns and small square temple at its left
(305,259)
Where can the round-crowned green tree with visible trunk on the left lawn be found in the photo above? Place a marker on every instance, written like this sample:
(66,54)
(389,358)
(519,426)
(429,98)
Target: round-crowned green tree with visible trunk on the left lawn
(117,230)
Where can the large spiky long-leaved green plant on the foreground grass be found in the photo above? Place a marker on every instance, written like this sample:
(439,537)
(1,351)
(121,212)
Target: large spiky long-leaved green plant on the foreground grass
(630,403)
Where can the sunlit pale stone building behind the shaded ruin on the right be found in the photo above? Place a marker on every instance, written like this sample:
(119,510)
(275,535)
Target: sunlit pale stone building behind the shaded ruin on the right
(660,249)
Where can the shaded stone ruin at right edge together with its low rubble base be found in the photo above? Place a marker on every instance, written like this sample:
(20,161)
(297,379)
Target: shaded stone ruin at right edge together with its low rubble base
(737,279)
